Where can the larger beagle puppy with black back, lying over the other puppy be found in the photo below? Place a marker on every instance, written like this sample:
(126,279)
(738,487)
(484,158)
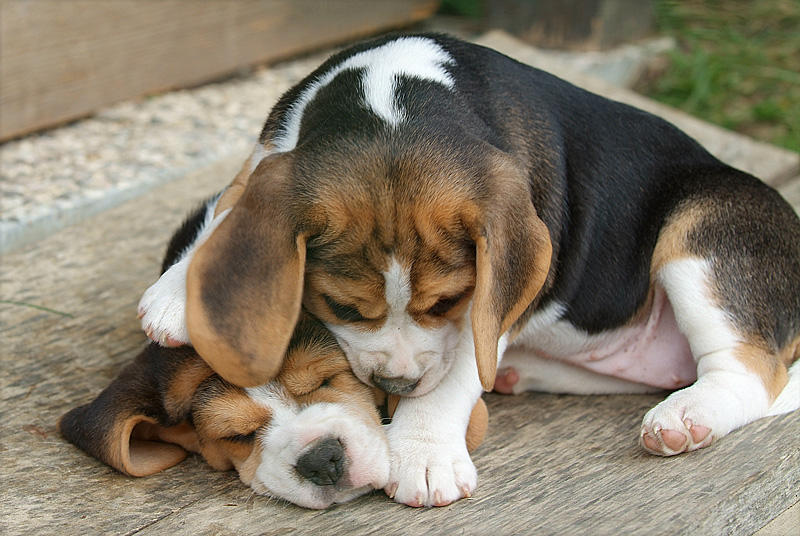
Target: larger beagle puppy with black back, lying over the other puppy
(436,203)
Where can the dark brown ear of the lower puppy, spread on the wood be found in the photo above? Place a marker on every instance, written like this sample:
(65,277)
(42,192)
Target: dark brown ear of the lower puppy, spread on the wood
(138,424)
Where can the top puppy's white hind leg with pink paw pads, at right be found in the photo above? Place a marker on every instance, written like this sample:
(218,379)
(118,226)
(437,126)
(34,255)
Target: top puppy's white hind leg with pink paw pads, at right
(738,377)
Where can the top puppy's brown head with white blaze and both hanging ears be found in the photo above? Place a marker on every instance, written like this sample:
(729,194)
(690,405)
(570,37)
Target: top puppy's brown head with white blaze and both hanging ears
(410,248)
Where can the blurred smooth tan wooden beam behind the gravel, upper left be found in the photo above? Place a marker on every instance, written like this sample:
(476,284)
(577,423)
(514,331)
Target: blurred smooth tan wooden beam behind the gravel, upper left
(62,59)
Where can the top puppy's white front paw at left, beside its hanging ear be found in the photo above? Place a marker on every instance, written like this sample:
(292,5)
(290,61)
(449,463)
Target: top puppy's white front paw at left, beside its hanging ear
(162,308)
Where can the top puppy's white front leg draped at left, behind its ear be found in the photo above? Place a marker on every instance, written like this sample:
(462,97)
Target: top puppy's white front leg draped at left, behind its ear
(162,308)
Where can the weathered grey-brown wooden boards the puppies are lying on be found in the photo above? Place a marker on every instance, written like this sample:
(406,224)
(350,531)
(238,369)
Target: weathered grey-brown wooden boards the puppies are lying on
(550,464)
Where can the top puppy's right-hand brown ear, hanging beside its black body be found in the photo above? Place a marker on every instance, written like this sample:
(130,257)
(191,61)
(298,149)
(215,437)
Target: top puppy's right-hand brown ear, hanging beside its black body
(513,250)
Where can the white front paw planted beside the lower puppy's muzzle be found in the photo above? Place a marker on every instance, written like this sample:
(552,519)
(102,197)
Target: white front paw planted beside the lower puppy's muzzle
(430,474)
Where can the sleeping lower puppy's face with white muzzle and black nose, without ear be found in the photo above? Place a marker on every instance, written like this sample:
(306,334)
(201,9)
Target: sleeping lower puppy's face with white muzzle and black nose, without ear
(311,436)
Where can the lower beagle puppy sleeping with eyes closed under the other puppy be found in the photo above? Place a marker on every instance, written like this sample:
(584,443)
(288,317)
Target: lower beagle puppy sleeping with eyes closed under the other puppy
(312,435)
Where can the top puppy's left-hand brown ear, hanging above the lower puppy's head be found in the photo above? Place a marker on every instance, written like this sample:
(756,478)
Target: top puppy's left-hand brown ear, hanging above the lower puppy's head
(245,283)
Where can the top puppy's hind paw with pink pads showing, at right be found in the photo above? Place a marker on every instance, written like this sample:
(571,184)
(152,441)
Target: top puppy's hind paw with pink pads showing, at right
(678,424)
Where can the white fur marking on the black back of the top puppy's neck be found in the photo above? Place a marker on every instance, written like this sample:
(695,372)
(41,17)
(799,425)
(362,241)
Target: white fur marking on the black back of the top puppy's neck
(415,57)
